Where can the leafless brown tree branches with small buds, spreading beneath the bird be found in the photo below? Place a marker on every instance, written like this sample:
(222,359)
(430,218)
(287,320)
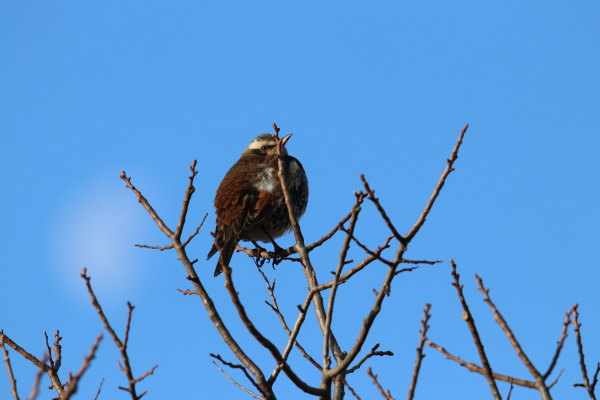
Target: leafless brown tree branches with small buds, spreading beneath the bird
(335,363)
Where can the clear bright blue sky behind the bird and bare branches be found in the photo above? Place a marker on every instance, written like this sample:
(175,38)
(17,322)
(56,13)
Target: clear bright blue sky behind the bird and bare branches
(383,88)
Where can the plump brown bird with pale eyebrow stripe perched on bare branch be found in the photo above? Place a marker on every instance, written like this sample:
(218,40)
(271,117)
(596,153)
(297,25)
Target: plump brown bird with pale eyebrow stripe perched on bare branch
(249,203)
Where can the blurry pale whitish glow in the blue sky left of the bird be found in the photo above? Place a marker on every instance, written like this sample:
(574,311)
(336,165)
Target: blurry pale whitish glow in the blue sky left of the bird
(91,229)
